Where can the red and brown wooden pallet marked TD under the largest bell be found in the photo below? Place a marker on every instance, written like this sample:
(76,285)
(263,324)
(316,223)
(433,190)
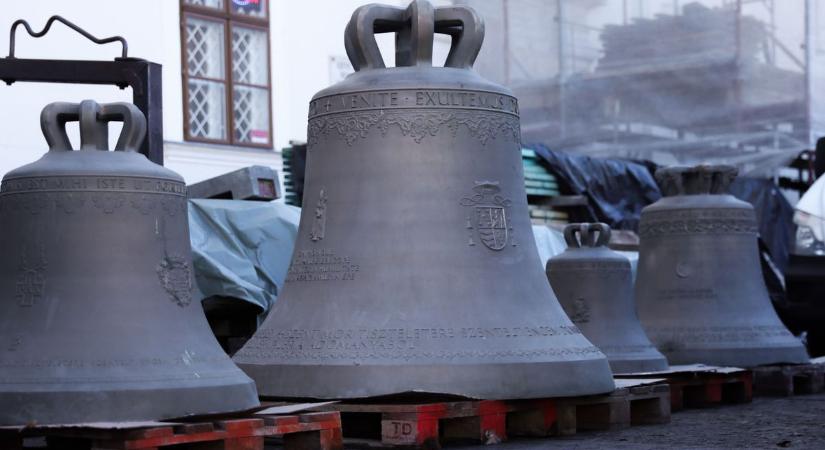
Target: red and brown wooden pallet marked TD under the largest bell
(428,425)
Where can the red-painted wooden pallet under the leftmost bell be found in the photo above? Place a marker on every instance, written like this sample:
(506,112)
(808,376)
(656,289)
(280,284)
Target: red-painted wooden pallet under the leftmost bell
(320,431)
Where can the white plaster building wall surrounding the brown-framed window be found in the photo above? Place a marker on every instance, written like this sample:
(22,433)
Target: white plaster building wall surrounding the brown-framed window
(304,35)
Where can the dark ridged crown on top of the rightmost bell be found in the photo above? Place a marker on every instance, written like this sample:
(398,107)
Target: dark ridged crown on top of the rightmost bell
(696,180)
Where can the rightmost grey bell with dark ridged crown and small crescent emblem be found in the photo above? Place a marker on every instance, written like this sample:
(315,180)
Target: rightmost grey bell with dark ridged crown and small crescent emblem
(699,288)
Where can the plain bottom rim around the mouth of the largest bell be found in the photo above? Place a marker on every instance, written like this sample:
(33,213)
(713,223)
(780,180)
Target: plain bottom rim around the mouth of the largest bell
(475,380)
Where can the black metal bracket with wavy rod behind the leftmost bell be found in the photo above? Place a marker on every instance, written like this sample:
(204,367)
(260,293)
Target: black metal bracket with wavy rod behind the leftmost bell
(144,77)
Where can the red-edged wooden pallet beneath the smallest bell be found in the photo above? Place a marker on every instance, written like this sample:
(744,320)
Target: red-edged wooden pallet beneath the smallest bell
(700,386)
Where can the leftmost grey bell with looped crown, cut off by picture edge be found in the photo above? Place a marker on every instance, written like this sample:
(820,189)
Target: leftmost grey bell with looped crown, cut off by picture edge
(97,319)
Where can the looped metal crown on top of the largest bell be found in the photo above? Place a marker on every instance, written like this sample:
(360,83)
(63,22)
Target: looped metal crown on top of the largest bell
(414,26)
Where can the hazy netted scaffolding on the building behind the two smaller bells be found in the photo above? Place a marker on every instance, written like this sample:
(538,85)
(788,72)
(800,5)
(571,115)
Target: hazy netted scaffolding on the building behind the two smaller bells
(674,82)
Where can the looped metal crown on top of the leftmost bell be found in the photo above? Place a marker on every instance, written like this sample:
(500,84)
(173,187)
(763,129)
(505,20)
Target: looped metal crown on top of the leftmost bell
(94,119)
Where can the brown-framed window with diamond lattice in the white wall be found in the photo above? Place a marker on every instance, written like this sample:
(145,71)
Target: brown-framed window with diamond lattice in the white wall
(226,73)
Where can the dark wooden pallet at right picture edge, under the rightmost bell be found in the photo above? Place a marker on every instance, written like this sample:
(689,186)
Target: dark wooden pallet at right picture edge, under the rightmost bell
(790,379)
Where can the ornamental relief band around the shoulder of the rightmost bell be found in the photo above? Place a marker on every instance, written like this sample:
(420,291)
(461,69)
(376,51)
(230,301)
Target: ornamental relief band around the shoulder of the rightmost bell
(698,221)
